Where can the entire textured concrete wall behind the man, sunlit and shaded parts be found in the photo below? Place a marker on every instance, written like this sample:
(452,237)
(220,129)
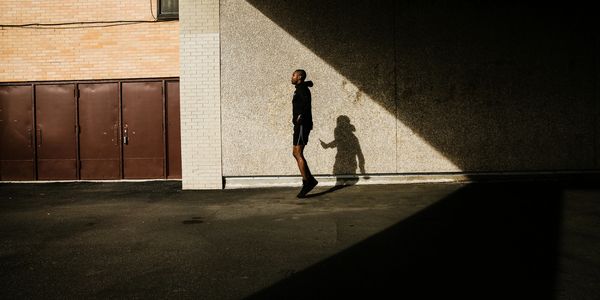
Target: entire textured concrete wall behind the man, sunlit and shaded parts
(428,87)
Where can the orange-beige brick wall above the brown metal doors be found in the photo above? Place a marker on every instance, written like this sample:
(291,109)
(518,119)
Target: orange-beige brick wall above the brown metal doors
(62,53)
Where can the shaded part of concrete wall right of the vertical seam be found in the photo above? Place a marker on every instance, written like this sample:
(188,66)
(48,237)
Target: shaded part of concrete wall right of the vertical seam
(489,85)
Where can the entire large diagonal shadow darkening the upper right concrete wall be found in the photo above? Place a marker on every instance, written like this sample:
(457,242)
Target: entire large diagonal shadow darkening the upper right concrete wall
(487,84)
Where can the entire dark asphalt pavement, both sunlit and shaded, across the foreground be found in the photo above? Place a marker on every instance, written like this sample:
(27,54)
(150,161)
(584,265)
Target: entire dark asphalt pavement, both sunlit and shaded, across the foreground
(531,239)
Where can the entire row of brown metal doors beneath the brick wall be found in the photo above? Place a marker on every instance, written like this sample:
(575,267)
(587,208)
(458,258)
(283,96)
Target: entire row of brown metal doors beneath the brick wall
(90,130)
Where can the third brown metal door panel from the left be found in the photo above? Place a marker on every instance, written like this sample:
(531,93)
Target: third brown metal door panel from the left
(99,143)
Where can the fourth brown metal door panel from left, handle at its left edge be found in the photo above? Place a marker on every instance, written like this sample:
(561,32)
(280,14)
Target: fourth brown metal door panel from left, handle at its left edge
(143,134)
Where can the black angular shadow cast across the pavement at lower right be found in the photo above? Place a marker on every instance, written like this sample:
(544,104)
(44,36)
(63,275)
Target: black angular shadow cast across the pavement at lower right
(485,241)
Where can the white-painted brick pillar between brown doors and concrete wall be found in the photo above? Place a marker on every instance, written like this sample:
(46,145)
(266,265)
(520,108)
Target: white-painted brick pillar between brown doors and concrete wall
(200,94)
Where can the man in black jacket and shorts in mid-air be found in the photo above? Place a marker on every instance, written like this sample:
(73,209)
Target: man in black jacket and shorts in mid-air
(302,120)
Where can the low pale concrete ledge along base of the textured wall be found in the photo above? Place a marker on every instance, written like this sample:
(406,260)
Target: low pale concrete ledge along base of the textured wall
(330,180)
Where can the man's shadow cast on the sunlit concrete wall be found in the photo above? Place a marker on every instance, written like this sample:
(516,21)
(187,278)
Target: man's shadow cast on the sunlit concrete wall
(349,155)
